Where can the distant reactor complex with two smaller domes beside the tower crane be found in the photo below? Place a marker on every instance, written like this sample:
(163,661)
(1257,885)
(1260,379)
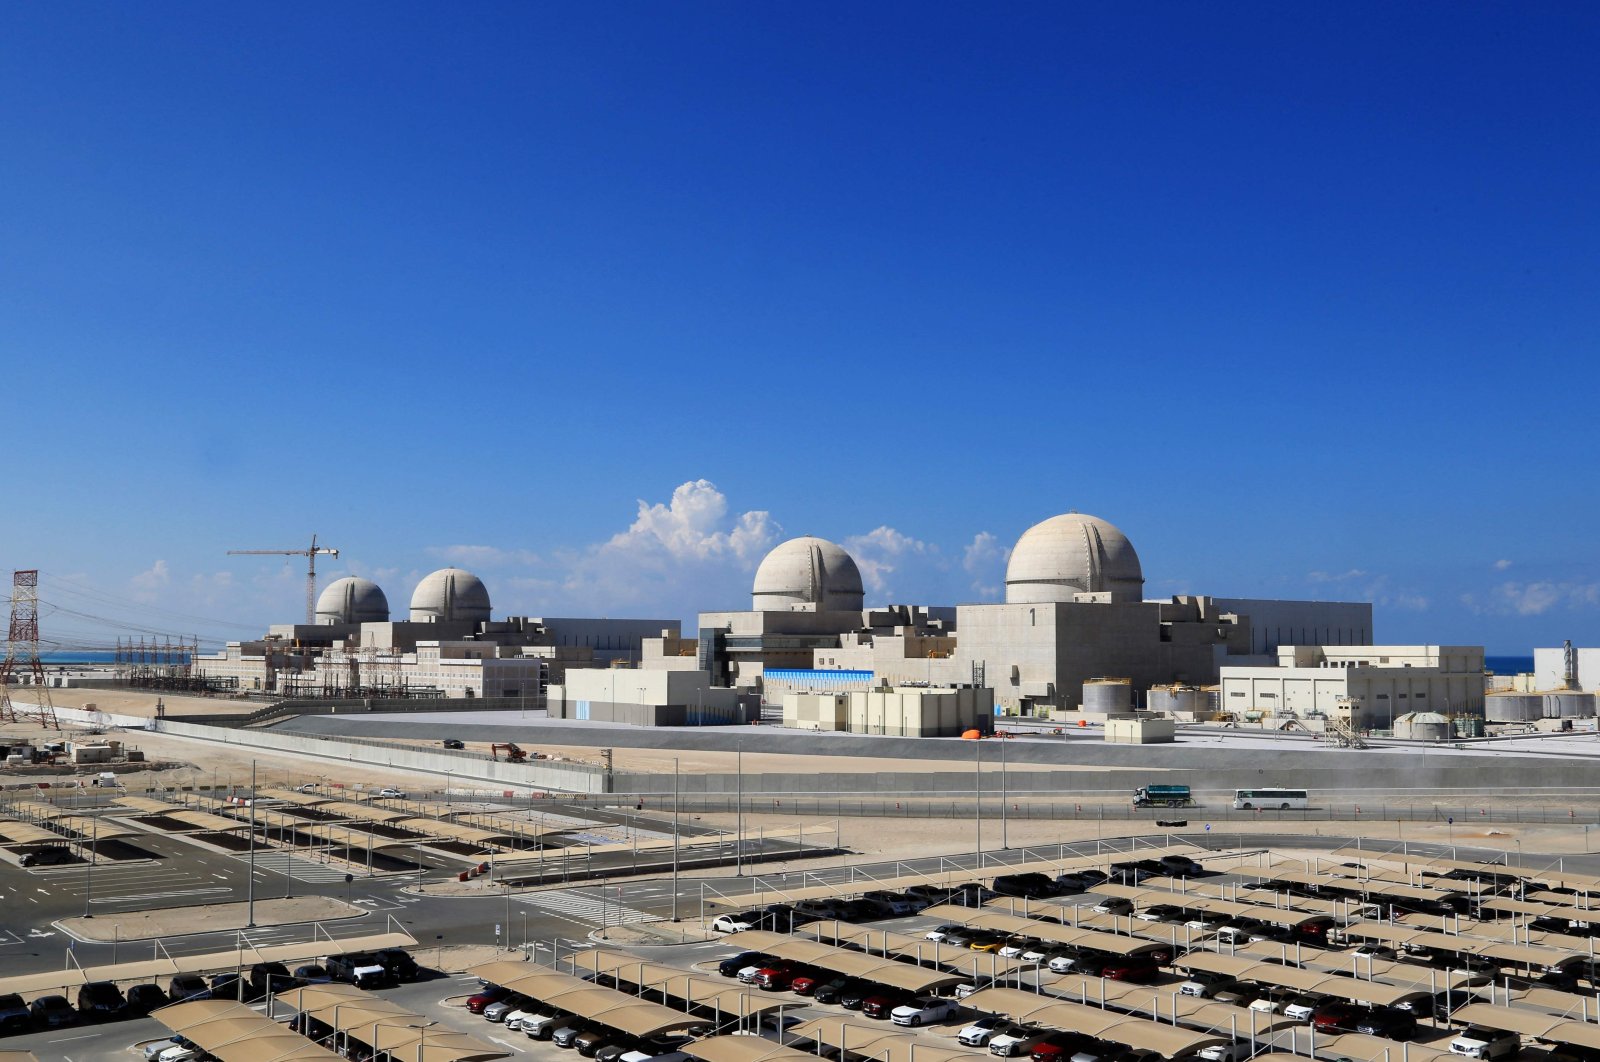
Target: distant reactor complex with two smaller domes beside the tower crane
(447,647)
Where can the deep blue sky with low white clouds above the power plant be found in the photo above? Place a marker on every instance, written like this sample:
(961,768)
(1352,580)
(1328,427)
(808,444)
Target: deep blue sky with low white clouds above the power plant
(602,300)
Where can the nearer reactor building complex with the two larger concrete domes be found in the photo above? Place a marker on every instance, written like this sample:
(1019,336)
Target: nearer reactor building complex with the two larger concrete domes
(1074,610)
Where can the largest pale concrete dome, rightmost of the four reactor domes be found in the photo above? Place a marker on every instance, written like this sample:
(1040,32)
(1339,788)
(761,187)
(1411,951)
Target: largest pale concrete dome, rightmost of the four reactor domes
(1073,554)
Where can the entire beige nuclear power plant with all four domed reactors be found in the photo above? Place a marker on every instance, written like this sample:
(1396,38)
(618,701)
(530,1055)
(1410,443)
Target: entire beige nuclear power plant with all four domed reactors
(1074,641)
